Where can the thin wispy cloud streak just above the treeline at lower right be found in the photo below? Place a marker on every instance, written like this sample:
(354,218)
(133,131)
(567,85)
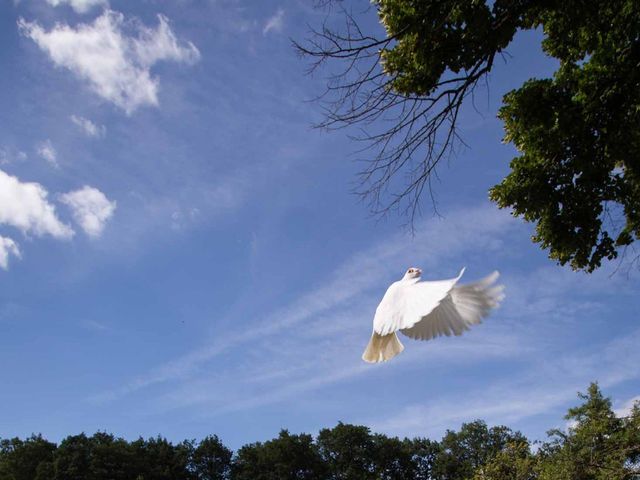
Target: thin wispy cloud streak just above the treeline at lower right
(542,388)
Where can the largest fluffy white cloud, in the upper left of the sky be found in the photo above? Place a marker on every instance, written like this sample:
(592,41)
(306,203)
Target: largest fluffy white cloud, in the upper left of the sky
(116,64)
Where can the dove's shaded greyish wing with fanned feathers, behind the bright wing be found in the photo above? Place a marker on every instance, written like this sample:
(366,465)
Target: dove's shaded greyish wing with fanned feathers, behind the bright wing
(462,307)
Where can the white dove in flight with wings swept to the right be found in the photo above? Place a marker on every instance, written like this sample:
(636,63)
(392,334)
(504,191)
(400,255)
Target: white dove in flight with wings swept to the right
(424,310)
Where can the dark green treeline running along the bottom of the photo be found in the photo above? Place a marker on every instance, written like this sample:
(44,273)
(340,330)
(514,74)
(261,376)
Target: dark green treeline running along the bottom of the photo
(598,446)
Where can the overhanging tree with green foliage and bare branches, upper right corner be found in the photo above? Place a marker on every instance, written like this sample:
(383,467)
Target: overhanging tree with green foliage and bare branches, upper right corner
(577,175)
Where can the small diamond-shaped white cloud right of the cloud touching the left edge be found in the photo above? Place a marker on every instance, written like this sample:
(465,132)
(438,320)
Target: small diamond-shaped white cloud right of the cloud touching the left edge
(91,209)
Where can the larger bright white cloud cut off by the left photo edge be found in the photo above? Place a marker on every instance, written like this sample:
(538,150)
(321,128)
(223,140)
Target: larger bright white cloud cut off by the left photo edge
(24,205)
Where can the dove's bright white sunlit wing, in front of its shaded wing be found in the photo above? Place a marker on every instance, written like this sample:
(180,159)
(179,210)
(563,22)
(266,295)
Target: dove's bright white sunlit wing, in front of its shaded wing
(406,304)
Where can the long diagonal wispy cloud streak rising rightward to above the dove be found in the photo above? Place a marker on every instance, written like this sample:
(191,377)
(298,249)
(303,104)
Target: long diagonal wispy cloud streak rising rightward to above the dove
(347,284)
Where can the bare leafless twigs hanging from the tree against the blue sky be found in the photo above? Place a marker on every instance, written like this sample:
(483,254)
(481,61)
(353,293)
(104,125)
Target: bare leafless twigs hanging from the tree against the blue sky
(405,136)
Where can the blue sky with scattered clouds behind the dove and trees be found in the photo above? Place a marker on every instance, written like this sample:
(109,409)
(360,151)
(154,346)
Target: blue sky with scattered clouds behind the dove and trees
(181,254)
